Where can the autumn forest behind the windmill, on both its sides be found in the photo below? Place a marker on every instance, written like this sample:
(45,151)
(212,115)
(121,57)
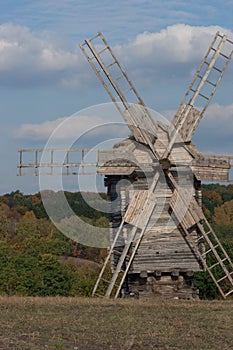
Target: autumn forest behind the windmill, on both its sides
(38,260)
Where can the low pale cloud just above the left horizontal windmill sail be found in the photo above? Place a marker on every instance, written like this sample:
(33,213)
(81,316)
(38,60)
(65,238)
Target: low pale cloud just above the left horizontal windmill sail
(100,121)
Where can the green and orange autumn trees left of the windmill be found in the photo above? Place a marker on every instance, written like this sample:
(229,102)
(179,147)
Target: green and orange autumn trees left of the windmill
(35,258)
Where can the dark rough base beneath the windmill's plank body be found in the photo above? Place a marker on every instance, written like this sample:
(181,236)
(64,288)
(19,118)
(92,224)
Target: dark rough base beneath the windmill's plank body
(176,284)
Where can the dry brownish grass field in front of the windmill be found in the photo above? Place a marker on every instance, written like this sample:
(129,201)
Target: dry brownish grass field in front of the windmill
(93,324)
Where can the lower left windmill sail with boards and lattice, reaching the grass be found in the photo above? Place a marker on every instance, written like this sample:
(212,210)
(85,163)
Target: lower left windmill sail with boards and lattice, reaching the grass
(146,204)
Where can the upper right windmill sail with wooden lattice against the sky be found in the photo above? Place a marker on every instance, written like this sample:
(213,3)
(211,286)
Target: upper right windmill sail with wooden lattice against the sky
(201,89)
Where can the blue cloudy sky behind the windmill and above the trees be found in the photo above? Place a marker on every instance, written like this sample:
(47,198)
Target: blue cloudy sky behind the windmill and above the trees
(44,77)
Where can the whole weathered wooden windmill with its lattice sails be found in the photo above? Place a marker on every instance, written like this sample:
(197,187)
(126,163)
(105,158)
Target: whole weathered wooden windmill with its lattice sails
(158,232)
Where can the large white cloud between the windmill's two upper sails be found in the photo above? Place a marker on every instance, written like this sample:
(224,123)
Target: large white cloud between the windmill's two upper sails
(176,50)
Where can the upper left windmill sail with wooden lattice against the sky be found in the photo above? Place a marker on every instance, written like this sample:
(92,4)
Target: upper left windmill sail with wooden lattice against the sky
(121,90)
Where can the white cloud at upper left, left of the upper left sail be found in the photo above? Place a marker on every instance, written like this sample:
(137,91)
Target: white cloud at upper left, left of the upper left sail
(28,58)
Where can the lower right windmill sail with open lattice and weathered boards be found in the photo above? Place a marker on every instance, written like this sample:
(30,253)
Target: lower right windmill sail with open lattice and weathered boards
(220,268)
